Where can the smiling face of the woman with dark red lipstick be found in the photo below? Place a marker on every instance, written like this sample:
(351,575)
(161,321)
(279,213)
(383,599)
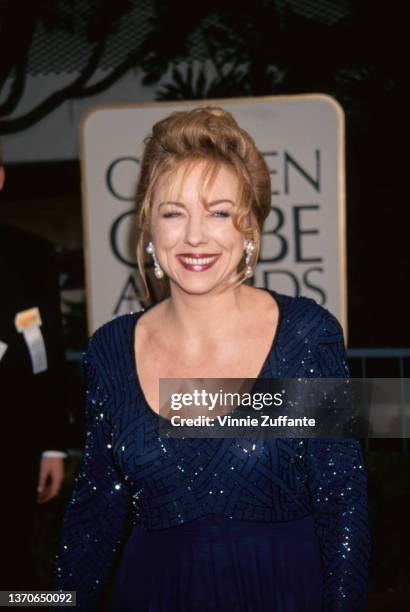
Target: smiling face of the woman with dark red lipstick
(198,249)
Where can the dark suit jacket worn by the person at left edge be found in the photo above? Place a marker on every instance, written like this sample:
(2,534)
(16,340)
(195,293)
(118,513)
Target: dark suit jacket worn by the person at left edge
(32,405)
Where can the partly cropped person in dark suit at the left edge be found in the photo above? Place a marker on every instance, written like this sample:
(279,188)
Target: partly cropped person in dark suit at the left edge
(31,373)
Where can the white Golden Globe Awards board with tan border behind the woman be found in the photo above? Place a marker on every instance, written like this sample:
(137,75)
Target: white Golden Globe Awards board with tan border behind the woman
(303,245)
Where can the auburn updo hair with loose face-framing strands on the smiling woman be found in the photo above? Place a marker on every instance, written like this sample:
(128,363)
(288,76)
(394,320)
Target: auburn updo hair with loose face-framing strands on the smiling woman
(211,136)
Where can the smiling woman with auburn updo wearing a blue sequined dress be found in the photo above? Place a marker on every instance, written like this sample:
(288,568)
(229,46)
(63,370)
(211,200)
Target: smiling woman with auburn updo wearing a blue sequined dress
(218,524)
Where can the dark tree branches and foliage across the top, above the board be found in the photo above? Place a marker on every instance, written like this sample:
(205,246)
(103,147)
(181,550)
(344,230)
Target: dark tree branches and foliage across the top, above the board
(258,48)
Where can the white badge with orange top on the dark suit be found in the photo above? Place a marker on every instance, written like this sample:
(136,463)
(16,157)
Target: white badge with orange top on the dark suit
(28,323)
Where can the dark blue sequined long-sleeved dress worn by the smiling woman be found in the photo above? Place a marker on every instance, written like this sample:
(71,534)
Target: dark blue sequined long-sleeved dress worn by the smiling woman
(217,525)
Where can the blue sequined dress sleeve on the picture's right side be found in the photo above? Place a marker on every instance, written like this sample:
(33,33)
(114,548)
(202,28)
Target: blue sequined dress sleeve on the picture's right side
(338,487)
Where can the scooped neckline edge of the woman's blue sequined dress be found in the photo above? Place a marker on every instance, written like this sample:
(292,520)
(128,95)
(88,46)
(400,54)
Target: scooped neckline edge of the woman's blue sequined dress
(133,356)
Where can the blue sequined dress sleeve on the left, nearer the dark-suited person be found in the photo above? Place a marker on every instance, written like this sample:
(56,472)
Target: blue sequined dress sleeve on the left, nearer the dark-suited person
(96,515)
